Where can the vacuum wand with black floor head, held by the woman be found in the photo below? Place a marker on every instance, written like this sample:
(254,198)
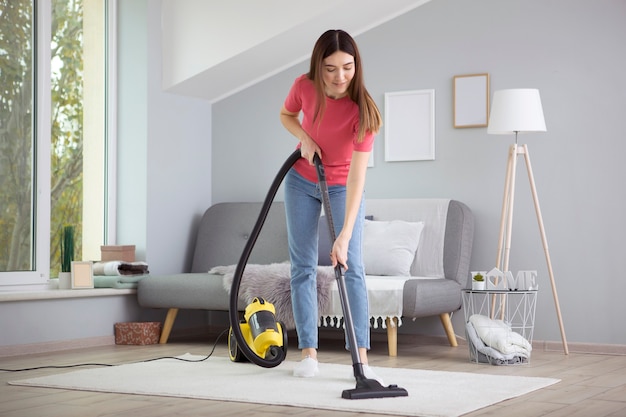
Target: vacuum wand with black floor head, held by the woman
(365,388)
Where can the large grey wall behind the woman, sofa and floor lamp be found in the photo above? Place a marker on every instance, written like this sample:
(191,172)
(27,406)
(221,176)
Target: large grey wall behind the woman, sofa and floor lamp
(573,52)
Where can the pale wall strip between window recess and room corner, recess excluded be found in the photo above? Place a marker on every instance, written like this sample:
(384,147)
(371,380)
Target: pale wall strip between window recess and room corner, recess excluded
(179,167)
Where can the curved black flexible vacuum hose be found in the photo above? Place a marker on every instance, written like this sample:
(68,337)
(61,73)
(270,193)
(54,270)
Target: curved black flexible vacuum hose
(278,355)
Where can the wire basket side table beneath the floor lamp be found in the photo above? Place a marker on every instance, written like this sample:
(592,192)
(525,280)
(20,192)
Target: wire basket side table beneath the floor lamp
(515,308)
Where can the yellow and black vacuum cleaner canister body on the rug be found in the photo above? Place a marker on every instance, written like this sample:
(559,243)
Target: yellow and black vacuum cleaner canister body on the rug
(265,336)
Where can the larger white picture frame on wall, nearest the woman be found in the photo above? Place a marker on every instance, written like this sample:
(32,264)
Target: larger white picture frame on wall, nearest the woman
(410,125)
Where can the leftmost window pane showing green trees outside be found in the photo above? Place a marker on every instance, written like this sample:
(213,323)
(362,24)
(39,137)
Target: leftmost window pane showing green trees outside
(16,132)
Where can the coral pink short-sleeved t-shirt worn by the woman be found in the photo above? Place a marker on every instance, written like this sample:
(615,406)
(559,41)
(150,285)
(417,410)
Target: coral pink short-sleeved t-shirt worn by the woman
(336,135)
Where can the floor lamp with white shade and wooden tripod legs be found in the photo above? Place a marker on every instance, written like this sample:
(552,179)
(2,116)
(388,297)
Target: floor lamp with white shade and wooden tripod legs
(516,111)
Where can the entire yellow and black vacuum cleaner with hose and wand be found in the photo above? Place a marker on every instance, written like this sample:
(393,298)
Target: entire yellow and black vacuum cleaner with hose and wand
(265,339)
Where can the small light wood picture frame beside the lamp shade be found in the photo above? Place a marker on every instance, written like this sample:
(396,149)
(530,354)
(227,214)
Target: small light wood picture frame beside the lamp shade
(471,100)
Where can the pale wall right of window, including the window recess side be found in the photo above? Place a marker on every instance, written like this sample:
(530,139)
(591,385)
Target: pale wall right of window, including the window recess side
(164,148)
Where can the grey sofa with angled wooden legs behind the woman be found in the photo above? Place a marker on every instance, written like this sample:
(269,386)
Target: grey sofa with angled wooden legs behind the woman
(225,228)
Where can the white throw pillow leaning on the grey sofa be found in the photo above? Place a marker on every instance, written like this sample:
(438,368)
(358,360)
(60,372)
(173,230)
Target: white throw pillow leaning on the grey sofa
(389,247)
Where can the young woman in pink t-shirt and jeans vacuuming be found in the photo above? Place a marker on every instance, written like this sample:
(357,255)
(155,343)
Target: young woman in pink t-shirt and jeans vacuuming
(339,121)
